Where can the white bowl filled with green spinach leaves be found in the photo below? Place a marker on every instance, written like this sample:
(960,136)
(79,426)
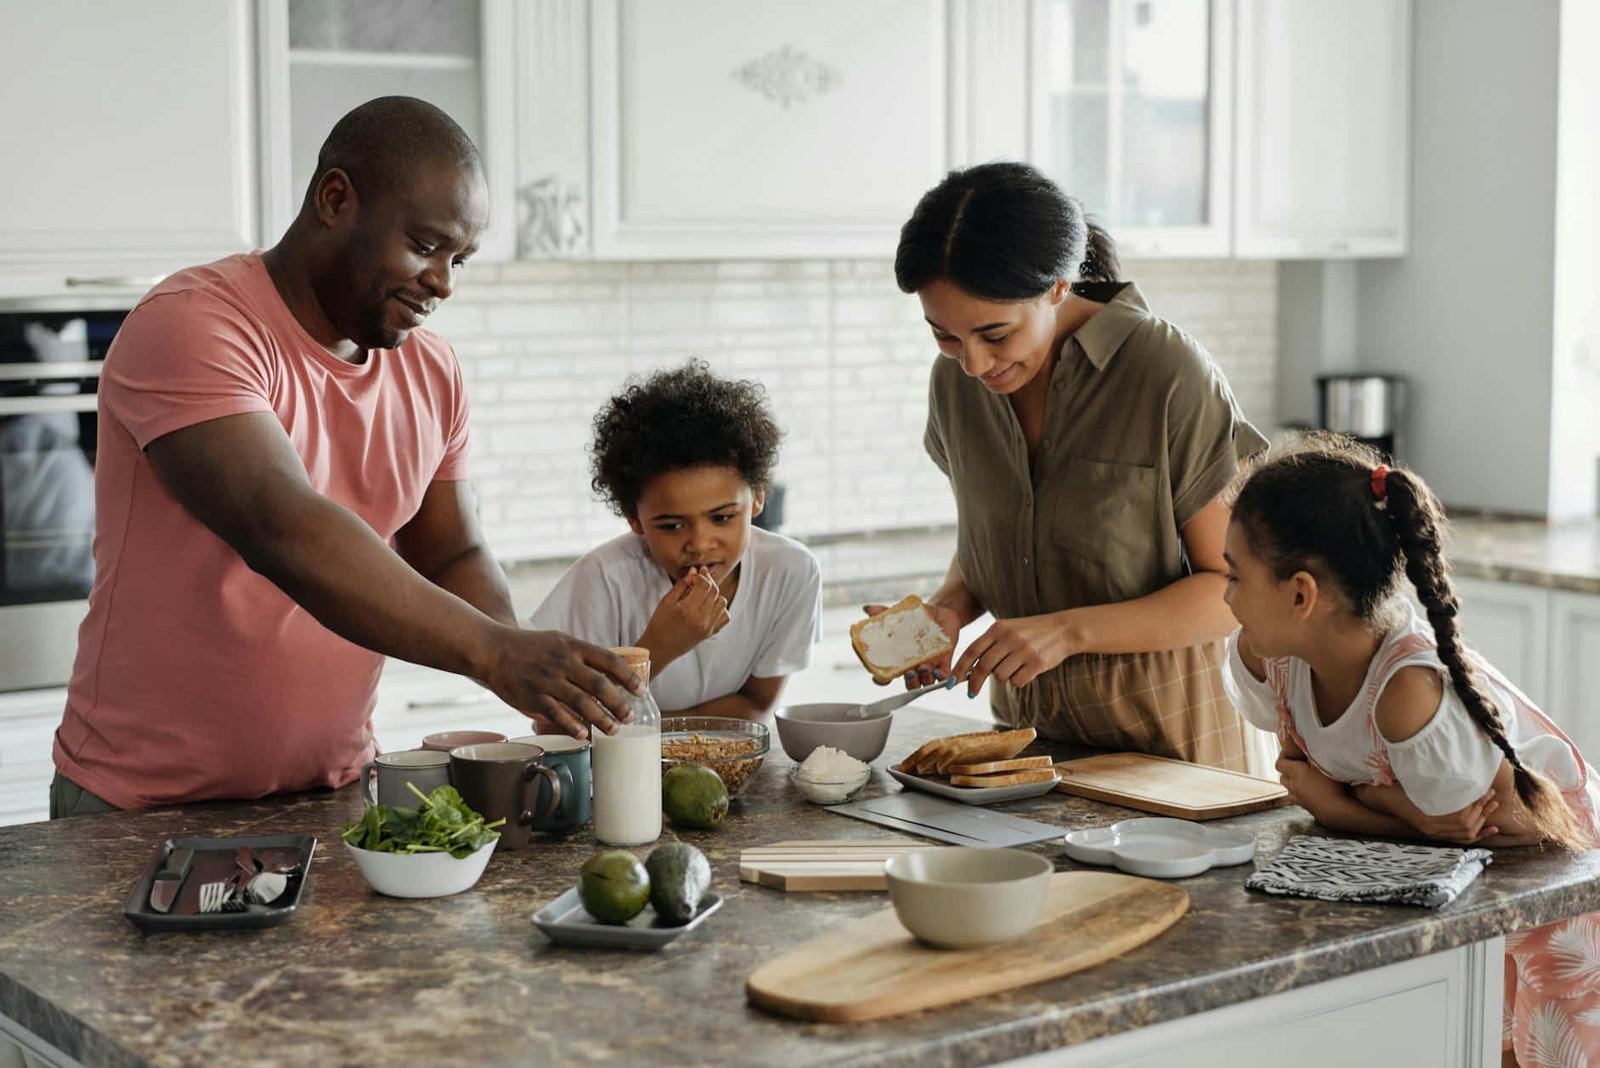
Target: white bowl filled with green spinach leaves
(436,850)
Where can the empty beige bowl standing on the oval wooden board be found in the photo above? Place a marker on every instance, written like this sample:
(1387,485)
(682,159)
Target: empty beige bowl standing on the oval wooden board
(961,898)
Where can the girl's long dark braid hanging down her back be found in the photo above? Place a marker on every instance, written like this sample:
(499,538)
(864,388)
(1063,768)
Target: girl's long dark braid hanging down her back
(1415,516)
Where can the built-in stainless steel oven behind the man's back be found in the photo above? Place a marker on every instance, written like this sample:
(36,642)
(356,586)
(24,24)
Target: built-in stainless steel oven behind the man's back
(50,365)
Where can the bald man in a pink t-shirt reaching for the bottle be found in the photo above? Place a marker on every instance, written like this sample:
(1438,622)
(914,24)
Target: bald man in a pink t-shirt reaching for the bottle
(282,500)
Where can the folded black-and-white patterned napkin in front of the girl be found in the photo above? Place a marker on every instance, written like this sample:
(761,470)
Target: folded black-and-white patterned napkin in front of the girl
(1343,871)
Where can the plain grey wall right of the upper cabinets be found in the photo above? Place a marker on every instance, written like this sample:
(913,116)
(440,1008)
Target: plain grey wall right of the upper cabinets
(1468,313)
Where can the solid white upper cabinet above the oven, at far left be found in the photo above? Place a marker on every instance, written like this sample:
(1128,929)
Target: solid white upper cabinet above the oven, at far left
(129,141)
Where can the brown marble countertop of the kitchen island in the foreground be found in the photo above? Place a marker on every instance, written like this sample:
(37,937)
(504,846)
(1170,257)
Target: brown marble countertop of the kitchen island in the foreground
(364,979)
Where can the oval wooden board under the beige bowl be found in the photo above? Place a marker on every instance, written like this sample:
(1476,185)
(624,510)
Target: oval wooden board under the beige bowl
(873,968)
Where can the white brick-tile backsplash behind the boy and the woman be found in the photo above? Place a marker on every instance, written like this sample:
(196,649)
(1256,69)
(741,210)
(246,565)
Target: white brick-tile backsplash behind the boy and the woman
(842,353)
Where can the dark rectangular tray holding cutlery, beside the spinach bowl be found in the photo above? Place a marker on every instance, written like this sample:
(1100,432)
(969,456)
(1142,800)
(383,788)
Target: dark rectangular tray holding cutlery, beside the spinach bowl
(215,861)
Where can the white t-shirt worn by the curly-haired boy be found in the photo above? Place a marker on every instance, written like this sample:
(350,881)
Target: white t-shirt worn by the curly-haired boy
(777,615)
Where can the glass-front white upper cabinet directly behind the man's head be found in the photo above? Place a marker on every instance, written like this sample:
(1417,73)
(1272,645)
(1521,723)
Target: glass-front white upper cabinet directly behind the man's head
(322,58)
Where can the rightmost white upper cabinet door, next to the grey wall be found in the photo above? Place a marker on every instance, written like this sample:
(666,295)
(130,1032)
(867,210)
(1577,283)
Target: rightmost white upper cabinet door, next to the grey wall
(1324,129)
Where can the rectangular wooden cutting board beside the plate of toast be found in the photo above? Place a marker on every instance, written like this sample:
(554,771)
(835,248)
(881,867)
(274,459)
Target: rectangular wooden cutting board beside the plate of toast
(1169,787)
